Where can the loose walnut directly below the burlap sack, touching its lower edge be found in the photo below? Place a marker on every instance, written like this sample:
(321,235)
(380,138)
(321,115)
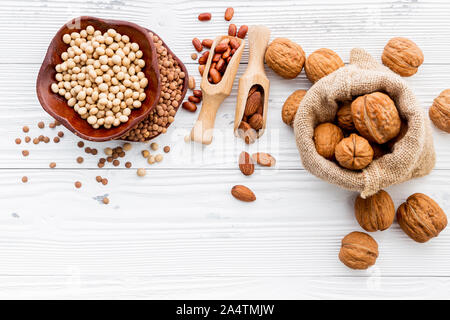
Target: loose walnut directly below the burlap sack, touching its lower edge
(377,212)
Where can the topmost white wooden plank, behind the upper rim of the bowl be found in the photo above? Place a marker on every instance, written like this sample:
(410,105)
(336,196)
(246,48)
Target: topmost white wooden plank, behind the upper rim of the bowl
(367,24)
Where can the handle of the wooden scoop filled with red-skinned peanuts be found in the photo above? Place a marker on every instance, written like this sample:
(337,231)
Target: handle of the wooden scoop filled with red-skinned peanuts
(202,131)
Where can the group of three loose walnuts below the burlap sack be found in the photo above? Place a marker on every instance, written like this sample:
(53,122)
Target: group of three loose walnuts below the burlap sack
(420,217)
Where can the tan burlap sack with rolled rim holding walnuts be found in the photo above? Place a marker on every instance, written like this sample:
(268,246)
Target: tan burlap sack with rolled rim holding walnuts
(412,157)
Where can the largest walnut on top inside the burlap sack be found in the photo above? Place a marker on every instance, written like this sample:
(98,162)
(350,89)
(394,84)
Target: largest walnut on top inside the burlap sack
(376,117)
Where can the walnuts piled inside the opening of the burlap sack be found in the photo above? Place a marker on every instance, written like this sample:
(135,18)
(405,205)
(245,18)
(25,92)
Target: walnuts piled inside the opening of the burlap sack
(365,129)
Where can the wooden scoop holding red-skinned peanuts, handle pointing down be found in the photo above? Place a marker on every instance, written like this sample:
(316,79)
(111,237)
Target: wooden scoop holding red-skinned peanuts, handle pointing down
(214,94)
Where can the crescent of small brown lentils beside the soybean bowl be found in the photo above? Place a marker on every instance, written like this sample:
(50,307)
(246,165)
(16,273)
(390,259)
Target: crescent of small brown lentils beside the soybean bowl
(172,81)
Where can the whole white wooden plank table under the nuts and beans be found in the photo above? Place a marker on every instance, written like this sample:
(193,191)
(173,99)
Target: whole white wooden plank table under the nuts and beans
(178,233)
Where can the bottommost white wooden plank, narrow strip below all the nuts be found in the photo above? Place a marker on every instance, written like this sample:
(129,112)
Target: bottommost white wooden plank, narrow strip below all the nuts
(77,285)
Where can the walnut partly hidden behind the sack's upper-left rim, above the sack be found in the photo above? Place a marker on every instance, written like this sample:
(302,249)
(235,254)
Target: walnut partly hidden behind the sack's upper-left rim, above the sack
(321,63)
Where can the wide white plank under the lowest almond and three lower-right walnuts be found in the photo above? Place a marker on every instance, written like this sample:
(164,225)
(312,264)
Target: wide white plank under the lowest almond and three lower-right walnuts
(186,223)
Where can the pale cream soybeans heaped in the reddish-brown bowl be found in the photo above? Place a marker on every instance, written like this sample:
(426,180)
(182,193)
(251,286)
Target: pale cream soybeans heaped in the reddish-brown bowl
(101,76)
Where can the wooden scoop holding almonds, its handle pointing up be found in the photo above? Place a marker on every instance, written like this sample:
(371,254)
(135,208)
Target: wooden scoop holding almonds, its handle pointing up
(258,39)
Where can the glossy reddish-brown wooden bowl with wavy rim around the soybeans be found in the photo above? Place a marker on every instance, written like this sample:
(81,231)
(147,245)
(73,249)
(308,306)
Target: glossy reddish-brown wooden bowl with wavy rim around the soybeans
(57,106)
